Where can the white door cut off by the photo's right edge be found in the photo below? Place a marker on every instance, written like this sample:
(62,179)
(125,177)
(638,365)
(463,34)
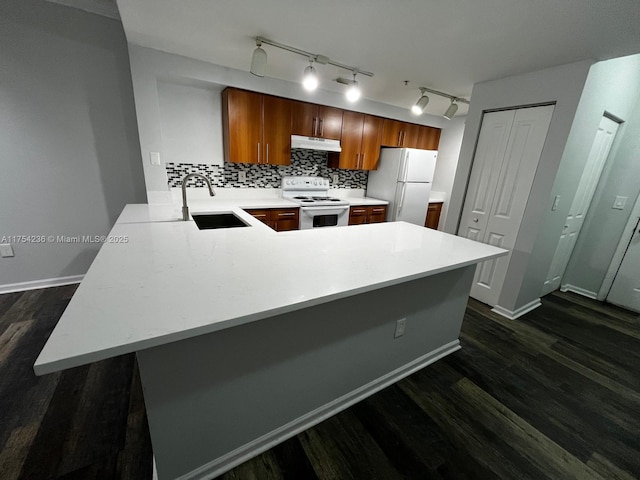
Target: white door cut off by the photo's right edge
(625,290)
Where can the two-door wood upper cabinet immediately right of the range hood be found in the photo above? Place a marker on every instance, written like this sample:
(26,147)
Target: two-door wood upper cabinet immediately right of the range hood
(360,142)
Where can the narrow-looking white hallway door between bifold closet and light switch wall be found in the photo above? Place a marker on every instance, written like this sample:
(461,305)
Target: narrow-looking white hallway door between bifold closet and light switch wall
(588,182)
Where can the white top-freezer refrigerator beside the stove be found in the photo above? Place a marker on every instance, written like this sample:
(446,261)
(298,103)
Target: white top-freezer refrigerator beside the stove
(403,178)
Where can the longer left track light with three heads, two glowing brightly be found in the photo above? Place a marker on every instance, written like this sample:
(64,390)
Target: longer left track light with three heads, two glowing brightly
(310,78)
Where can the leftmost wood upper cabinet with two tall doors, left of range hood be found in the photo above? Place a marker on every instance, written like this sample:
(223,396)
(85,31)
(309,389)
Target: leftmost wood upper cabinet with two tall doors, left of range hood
(256,128)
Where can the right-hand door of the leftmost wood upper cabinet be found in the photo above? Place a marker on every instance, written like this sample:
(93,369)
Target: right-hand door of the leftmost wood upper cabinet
(276,117)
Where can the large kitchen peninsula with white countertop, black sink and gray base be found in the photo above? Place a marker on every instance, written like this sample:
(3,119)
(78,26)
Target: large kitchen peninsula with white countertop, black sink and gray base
(246,336)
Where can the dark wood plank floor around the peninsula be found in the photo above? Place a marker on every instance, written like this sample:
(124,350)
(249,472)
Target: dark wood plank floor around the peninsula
(555,394)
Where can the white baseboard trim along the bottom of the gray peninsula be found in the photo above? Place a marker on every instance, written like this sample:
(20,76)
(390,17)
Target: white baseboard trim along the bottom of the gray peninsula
(264,443)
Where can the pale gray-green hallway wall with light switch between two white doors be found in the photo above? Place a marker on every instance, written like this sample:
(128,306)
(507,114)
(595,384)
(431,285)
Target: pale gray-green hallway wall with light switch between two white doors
(619,83)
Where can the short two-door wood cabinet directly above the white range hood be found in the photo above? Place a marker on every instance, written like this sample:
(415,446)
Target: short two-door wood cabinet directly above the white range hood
(313,120)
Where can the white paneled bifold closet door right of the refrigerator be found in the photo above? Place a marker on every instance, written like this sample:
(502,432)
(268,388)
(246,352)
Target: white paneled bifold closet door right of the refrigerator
(500,183)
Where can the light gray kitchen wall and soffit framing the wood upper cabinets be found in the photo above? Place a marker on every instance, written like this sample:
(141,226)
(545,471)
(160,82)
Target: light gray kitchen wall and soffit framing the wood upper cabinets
(168,84)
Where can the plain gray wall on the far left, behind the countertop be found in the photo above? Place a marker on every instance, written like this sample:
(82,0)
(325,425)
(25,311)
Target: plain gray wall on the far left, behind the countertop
(68,137)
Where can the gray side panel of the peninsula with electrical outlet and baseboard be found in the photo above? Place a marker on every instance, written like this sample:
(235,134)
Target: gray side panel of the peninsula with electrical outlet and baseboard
(216,400)
